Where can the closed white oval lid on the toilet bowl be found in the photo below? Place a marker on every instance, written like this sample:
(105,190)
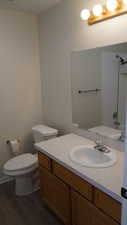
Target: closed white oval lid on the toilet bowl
(21,162)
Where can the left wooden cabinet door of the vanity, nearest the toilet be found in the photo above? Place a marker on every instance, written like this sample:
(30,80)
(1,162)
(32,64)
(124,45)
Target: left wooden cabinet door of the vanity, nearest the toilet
(56,194)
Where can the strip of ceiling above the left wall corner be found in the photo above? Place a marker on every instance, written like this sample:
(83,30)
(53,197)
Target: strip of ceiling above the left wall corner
(34,6)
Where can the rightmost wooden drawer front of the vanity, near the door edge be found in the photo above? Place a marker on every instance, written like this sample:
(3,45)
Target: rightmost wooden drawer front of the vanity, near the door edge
(107,204)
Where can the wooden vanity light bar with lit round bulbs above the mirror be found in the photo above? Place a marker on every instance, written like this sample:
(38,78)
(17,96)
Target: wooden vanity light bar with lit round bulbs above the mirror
(110,9)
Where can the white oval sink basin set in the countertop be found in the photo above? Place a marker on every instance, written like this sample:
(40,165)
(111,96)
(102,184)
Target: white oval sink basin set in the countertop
(88,156)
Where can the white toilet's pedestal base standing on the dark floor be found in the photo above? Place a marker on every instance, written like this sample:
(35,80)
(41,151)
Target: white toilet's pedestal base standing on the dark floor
(26,184)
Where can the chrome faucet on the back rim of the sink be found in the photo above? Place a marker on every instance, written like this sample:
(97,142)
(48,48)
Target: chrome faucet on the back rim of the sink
(99,145)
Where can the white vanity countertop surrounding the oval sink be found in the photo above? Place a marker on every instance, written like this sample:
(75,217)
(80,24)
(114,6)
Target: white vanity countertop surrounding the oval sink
(109,180)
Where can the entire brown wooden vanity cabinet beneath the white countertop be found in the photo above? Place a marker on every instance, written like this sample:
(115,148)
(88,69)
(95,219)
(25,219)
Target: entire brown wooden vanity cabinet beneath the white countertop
(74,200)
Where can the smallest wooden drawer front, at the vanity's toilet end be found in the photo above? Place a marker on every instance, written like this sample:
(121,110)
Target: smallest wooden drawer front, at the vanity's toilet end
(44,161)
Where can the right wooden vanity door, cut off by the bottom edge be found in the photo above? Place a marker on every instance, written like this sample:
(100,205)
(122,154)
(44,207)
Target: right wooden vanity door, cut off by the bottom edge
(85,213)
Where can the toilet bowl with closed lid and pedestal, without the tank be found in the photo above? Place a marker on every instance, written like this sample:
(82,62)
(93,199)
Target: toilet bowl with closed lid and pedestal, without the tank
(22,168)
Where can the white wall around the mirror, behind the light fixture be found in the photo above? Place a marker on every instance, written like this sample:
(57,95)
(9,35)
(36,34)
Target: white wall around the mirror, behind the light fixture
(61,32)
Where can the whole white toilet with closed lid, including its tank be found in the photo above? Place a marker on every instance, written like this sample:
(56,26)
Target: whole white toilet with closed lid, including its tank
(24,168)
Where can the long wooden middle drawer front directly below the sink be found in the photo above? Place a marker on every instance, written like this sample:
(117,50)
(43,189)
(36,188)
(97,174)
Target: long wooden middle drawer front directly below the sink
(73,180)
